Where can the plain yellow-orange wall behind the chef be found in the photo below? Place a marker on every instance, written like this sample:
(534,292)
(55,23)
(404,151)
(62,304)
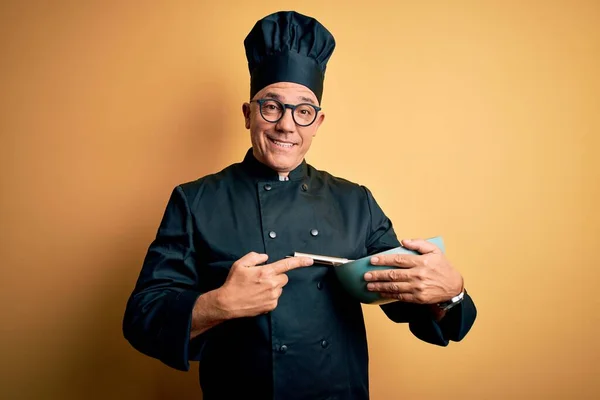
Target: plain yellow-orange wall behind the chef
(477,121)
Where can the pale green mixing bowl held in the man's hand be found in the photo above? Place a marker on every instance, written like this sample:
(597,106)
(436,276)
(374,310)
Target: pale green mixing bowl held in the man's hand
(351,275)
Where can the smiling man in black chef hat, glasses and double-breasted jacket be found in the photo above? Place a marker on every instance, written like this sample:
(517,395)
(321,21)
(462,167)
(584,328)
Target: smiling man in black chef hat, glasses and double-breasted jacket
(216,285)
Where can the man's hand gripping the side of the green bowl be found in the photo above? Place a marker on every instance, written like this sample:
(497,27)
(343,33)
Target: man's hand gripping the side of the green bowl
(426,278)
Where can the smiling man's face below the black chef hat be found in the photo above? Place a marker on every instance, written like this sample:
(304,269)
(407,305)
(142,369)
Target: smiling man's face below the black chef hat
(281,145)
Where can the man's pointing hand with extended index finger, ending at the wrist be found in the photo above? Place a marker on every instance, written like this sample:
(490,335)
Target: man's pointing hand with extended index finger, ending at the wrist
(250,289)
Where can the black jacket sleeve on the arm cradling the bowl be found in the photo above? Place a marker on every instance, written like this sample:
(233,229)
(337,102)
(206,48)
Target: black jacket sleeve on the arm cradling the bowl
(456,323)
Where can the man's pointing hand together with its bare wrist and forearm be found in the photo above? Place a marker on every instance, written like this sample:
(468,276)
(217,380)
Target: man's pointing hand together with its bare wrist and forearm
(250,289)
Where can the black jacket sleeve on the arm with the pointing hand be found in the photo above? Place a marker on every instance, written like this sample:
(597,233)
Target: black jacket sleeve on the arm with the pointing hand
(158,314)
